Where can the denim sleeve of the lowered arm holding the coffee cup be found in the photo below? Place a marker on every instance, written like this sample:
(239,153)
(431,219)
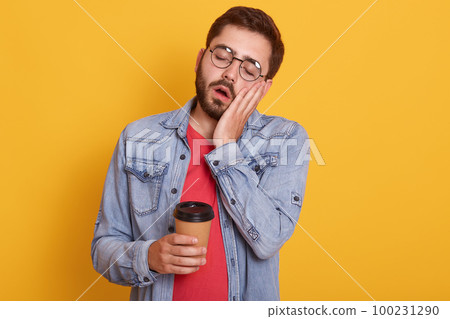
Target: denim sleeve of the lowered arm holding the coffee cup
(115,254)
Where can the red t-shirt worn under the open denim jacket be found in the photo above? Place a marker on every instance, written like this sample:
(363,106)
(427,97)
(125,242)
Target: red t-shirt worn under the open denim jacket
(210,282)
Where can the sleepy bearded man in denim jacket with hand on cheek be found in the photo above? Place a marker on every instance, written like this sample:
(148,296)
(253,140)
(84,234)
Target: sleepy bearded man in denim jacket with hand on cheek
(251,168)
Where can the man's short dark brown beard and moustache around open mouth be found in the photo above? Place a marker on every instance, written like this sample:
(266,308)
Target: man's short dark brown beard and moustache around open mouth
(214,108)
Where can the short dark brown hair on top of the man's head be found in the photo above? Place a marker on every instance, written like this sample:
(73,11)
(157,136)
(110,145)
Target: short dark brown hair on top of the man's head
(257,21)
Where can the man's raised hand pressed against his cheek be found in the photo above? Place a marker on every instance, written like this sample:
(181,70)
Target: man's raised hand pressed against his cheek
(231,124)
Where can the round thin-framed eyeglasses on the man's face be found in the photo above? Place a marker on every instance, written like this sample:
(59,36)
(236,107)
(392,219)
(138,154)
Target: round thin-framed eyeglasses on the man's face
(222,57)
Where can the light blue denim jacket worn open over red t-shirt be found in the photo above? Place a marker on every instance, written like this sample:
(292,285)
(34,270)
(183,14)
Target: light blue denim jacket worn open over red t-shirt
(261,183)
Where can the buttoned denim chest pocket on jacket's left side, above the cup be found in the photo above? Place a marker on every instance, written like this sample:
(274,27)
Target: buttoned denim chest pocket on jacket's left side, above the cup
(144,184)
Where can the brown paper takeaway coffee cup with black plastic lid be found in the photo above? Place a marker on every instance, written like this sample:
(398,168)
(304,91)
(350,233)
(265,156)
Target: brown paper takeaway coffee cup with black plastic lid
(194,219)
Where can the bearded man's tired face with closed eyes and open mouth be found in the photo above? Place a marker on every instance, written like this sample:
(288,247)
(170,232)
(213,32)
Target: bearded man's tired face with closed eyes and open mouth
(217,88)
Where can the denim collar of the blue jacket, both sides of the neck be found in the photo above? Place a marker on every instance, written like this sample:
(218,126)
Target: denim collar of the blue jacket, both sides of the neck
(179,119)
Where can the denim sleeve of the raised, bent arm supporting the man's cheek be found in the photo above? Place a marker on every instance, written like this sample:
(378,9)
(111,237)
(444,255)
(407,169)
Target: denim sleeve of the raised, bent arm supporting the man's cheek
(264,208)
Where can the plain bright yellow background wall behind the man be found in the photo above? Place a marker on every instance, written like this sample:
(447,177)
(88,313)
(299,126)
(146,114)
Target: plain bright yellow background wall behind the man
(376,105)
